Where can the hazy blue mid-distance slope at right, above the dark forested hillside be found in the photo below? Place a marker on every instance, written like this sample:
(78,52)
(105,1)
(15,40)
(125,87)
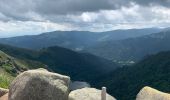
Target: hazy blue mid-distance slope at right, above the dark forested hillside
(132,49)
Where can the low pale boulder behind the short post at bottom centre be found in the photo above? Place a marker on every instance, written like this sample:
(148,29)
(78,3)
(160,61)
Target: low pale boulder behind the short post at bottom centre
(88,94)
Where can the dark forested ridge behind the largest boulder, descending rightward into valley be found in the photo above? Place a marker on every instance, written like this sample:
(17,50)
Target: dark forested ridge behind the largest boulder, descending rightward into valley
(80,66)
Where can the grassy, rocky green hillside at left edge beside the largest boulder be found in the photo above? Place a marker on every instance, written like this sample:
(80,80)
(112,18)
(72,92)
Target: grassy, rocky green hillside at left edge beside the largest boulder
(10,67)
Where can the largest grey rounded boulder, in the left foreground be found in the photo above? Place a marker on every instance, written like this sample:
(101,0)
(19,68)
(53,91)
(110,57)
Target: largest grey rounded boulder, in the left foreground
(39,85)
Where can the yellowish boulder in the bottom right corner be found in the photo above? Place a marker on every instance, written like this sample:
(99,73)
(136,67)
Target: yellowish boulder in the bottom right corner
(148,93)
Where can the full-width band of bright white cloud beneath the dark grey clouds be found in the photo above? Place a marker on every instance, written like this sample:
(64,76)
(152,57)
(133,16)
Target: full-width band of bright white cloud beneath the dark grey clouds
(135,16)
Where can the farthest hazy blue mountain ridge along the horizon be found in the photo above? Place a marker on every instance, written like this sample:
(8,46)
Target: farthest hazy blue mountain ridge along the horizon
(75,40)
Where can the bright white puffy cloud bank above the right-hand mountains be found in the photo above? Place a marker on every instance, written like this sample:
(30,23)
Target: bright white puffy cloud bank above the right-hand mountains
(124,18)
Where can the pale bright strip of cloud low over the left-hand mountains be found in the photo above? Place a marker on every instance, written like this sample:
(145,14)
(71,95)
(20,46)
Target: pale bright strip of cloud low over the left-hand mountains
(17,28)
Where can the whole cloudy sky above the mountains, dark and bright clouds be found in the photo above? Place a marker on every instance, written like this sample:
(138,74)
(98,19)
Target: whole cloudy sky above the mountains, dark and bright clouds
(20,17)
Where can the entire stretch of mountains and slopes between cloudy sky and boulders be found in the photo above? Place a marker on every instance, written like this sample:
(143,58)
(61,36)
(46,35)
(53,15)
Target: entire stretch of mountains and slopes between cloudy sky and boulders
(100,68)
